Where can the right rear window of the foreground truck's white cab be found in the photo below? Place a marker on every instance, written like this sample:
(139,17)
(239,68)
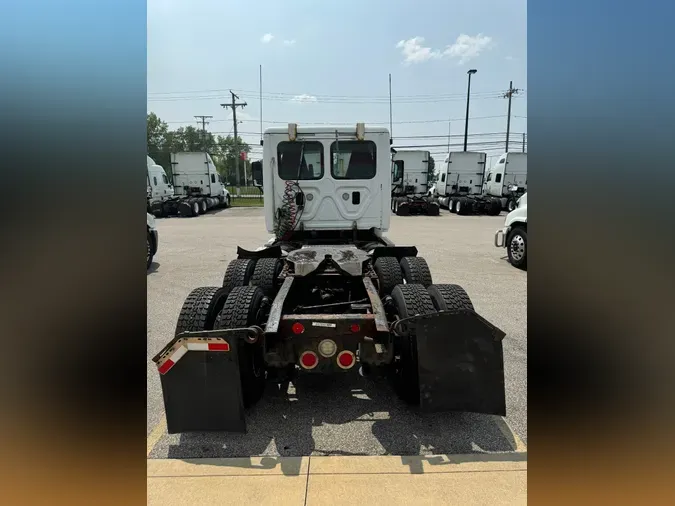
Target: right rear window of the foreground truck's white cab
(353,159)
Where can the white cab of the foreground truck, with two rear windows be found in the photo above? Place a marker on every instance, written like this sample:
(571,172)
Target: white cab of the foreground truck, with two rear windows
(325,178)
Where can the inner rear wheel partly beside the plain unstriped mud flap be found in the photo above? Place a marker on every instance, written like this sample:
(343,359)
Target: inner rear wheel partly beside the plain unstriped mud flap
(409,300)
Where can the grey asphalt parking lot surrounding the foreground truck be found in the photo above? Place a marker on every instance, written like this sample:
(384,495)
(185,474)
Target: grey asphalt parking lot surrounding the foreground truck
(349,415)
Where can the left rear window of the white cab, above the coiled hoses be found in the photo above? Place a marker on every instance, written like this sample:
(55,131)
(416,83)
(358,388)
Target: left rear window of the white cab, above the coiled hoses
(300,160)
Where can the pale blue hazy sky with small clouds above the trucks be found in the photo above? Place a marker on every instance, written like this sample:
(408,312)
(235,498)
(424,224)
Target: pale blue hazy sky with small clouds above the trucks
(328,62)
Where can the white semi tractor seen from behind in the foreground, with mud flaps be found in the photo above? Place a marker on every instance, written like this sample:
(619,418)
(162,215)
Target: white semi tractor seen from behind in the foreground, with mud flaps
(328,294)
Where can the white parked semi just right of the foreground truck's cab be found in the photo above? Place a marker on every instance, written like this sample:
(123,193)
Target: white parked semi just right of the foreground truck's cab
(409,191)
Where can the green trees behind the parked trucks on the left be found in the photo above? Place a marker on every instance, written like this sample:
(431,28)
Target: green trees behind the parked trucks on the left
(162,142)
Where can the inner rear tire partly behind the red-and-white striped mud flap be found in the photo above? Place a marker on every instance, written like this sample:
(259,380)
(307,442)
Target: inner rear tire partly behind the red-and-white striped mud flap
(243,309)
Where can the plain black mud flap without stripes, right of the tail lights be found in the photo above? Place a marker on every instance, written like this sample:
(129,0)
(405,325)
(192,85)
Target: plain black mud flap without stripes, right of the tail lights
(461,363)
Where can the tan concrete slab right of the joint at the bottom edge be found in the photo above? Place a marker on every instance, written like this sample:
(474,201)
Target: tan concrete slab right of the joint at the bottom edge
(487,487)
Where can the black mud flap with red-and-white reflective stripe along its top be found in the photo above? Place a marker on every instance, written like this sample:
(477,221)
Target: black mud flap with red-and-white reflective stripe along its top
(202,390)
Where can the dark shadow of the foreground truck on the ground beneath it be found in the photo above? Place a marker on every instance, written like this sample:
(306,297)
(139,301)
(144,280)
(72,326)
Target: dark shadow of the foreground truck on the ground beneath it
(346,415)
